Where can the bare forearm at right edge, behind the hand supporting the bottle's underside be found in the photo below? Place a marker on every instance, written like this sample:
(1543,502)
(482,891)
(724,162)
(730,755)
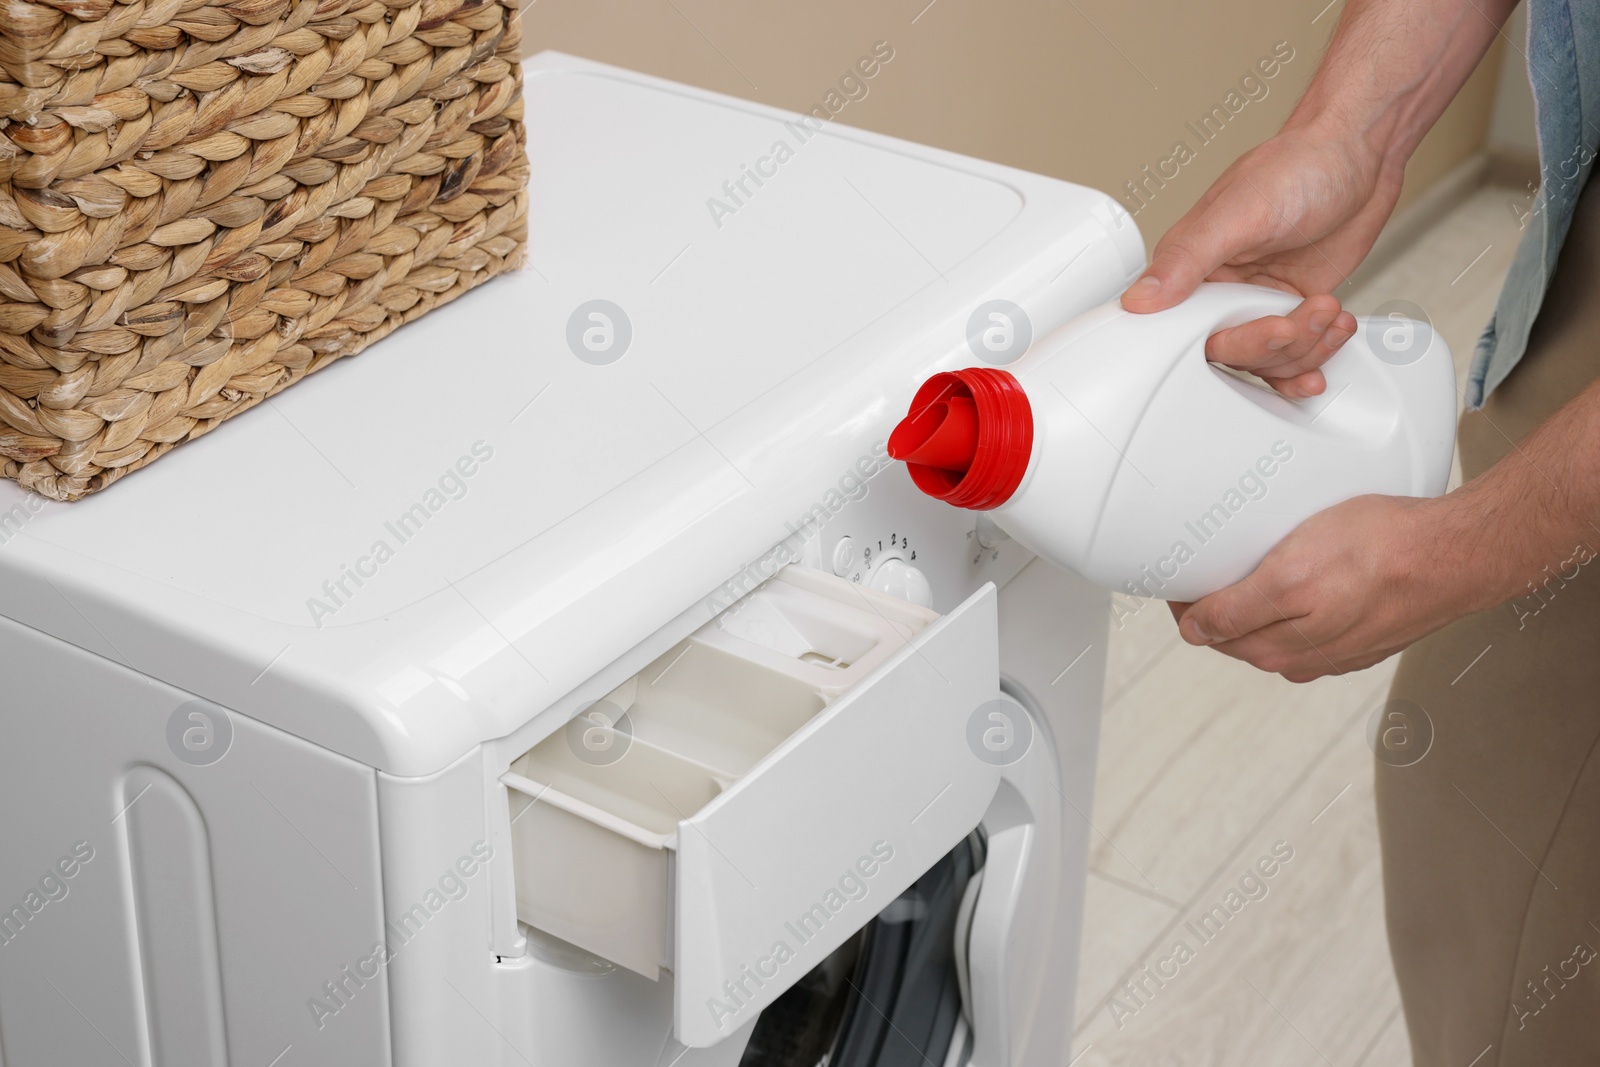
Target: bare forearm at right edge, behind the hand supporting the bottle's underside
(1526,519)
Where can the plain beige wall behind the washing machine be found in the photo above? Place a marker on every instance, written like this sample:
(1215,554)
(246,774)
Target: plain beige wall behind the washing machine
(1086,90)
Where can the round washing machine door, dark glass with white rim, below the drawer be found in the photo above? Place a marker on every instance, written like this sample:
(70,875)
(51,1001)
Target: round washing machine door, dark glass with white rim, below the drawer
(945,977)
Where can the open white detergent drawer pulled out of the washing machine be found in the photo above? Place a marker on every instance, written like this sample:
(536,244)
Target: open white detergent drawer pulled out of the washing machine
(748,802)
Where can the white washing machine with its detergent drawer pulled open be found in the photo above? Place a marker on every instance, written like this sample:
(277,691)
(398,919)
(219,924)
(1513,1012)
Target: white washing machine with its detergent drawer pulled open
(570,681)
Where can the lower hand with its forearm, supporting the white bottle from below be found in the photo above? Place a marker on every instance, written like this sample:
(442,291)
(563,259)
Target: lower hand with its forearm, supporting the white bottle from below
(1361,581)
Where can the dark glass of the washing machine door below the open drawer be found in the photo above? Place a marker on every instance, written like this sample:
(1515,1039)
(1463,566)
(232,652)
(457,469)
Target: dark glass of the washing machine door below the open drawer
(890,997)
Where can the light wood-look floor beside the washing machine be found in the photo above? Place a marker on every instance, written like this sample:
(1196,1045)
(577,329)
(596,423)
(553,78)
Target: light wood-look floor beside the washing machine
(1207,765)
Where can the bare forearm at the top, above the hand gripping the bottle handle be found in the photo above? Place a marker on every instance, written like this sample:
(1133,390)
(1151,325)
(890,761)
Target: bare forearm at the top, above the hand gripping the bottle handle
(1394,66)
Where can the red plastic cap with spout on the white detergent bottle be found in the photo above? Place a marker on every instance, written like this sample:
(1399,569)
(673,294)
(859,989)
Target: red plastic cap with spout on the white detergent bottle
(967,438)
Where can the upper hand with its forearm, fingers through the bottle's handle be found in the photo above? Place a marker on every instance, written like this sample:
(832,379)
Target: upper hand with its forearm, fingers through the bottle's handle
(1303,210)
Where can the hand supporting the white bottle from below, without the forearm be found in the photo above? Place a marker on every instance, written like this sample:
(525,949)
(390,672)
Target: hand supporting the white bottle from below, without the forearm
(1346,589)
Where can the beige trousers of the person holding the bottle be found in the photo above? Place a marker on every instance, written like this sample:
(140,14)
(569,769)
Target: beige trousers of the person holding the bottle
(1492,841)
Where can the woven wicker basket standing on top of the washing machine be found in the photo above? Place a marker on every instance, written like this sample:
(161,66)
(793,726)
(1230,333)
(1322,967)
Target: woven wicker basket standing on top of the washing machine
(204,202)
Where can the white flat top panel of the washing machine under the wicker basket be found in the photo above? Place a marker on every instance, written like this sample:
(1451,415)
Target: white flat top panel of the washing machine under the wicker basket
(436,540)
